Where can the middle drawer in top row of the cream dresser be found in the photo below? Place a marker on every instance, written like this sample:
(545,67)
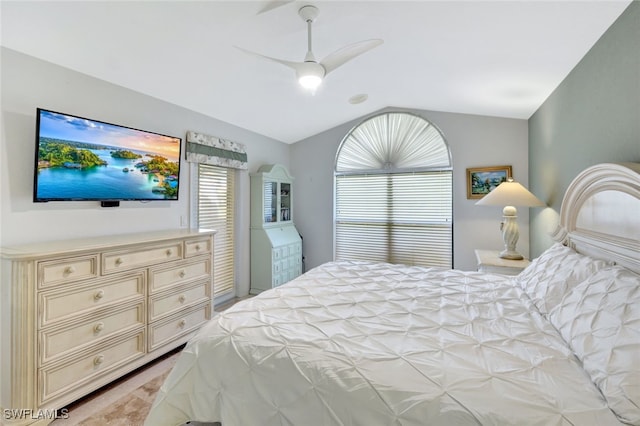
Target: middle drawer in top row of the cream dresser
(124,260)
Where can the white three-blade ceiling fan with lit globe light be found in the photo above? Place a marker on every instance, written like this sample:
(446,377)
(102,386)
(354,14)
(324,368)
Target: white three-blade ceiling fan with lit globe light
(310,72)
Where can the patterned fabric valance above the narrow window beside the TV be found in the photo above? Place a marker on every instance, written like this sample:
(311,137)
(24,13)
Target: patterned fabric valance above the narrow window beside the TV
(206,149)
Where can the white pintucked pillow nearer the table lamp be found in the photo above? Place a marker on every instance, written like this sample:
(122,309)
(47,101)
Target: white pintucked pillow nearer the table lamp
(551,275)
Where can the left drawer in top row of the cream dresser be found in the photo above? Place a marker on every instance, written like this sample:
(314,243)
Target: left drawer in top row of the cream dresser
(72,269)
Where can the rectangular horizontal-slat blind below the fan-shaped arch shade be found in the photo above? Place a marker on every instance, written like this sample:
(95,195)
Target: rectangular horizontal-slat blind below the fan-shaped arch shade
(395,217)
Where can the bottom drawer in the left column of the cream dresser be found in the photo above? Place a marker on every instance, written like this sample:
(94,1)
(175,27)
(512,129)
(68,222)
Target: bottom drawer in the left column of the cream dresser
(65,377)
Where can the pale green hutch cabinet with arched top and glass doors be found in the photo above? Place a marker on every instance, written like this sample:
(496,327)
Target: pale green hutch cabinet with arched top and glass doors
(276,245)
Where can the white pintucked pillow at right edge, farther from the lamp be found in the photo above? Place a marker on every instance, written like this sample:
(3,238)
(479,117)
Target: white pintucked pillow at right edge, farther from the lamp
(600,320)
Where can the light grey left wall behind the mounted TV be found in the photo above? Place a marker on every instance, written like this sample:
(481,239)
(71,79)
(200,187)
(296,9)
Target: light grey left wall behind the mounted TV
(28,83)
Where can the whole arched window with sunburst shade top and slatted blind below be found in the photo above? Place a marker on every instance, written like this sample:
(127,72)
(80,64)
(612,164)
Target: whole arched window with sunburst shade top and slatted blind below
(393,193)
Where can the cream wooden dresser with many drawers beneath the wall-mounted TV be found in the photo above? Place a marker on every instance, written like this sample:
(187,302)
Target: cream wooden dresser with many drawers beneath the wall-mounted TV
(77,314)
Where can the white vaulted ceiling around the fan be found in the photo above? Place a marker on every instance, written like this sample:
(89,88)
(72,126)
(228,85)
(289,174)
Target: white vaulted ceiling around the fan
(498,58)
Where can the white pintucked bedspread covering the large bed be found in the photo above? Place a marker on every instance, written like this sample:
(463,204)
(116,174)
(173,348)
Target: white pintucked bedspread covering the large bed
(356,343)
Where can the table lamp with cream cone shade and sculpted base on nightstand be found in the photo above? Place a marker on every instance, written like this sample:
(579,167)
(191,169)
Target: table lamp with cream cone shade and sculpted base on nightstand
(510,194)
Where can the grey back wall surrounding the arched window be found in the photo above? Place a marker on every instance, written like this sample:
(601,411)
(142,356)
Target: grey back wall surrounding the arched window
(474,141)
